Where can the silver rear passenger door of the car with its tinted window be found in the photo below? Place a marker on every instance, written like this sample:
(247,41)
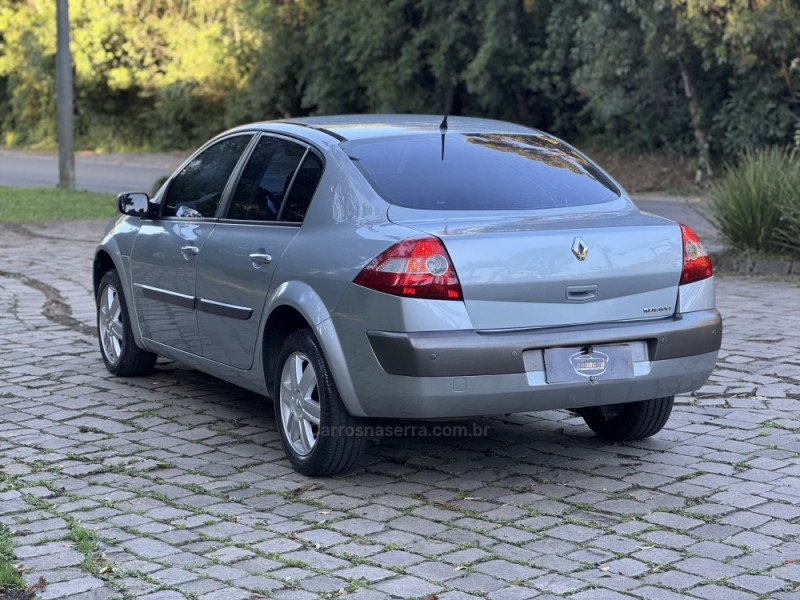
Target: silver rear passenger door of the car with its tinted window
(241,254)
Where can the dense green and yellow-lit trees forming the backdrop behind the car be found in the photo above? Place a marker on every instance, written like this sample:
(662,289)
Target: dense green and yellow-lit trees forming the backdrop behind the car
(705,78)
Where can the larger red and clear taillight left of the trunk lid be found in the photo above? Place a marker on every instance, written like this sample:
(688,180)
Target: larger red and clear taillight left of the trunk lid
(415,268)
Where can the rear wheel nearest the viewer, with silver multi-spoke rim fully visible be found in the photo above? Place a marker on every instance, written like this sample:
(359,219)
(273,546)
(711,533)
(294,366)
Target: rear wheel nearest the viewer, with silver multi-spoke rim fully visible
(318,435)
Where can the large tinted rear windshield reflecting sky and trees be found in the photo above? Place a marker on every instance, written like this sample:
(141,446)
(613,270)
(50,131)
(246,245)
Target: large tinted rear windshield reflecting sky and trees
(480,171)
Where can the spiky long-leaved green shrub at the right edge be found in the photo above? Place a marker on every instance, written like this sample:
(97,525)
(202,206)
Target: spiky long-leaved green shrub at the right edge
(756,204)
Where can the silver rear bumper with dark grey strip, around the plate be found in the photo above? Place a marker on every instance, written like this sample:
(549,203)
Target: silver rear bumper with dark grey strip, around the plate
(469,373)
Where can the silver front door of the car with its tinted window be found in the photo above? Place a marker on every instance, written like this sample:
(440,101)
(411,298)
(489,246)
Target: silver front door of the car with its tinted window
(164,254)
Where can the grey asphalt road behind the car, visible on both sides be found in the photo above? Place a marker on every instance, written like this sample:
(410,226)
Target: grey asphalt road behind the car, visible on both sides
(115,173)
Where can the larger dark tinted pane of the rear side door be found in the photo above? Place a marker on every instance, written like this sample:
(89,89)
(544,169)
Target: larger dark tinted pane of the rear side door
(265,180)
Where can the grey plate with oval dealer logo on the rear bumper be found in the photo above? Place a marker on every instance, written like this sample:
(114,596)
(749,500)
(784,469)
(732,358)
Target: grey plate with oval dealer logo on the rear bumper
(595,363)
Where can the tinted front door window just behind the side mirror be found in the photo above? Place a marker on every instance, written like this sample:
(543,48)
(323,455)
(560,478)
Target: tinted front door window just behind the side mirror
(197,189)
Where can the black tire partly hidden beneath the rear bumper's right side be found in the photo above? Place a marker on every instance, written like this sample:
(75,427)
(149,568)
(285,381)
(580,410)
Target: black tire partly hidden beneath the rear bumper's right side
(631,421)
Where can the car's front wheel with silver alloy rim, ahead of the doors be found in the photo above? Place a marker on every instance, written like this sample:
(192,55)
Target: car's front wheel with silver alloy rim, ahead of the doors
(120,353)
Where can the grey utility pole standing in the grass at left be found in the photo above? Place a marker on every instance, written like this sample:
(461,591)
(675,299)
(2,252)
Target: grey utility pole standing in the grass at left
(64,100)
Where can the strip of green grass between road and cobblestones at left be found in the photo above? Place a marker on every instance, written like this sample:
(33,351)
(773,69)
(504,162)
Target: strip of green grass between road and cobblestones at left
(51,204)
